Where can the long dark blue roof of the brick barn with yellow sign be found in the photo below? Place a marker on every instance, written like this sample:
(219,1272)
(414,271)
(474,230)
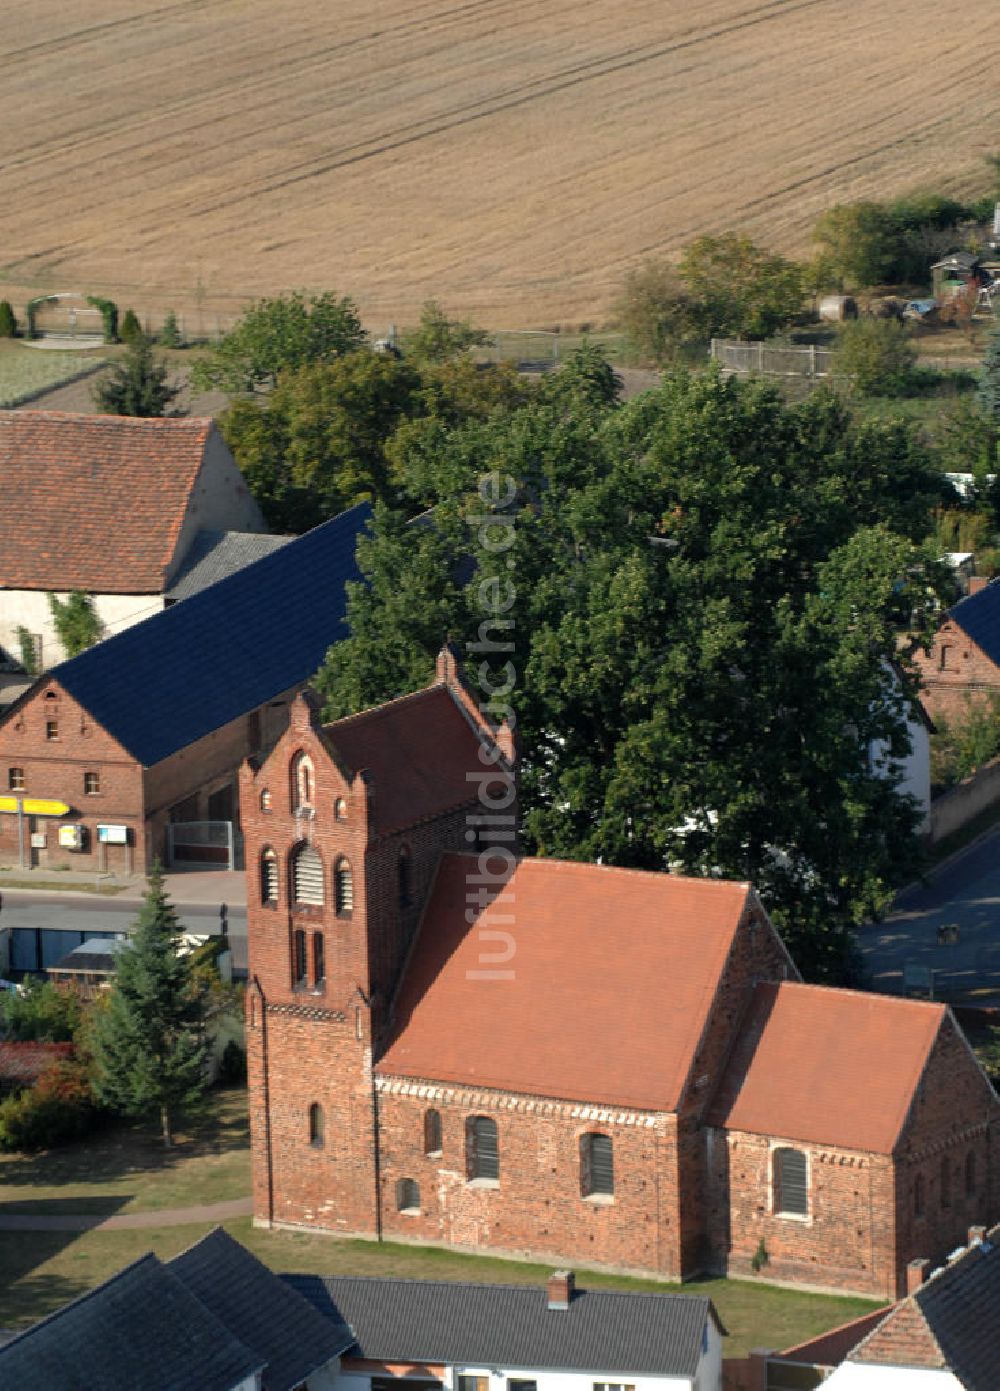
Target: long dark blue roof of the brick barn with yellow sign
(225,652)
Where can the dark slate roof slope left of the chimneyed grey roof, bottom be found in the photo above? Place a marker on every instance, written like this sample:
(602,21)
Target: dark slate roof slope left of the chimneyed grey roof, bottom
(291,1337)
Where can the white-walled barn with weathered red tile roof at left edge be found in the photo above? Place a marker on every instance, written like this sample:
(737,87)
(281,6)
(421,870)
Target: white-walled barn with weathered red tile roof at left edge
(115,507)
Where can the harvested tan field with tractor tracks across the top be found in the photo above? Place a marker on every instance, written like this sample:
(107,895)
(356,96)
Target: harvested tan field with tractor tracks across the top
(510,158)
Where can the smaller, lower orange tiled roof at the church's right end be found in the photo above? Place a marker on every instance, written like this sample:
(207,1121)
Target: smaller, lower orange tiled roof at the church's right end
(805,1070)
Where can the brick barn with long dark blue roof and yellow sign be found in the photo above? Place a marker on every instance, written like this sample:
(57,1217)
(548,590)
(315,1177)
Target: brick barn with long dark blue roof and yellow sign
(137,742)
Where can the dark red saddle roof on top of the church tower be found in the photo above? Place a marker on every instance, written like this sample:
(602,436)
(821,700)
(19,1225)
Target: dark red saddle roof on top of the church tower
(419,752)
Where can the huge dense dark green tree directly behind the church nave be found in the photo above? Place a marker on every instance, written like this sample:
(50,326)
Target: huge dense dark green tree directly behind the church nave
(706,595)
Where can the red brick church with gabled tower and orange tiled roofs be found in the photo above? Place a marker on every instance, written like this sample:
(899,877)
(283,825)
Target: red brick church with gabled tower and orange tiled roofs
(568,1062)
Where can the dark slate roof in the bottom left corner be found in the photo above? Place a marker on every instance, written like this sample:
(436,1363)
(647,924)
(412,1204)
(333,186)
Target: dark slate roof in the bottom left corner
(141,1329)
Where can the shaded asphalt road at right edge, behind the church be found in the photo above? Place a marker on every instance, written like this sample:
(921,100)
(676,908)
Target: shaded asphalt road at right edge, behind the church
(966,892)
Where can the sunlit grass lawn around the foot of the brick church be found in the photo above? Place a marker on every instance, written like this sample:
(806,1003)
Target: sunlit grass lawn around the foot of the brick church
(127,1171)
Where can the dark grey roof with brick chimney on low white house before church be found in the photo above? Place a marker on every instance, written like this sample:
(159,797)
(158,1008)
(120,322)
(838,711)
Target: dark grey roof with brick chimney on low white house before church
(513,1326)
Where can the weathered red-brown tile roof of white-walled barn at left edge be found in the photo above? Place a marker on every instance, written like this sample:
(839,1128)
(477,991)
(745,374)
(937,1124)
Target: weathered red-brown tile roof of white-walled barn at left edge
(94,503)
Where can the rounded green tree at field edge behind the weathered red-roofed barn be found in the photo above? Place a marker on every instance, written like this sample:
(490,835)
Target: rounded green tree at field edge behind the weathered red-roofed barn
(277,335)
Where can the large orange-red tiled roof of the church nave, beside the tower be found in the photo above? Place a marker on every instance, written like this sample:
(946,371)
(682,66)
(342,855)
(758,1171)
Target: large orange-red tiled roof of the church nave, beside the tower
(613,979)
